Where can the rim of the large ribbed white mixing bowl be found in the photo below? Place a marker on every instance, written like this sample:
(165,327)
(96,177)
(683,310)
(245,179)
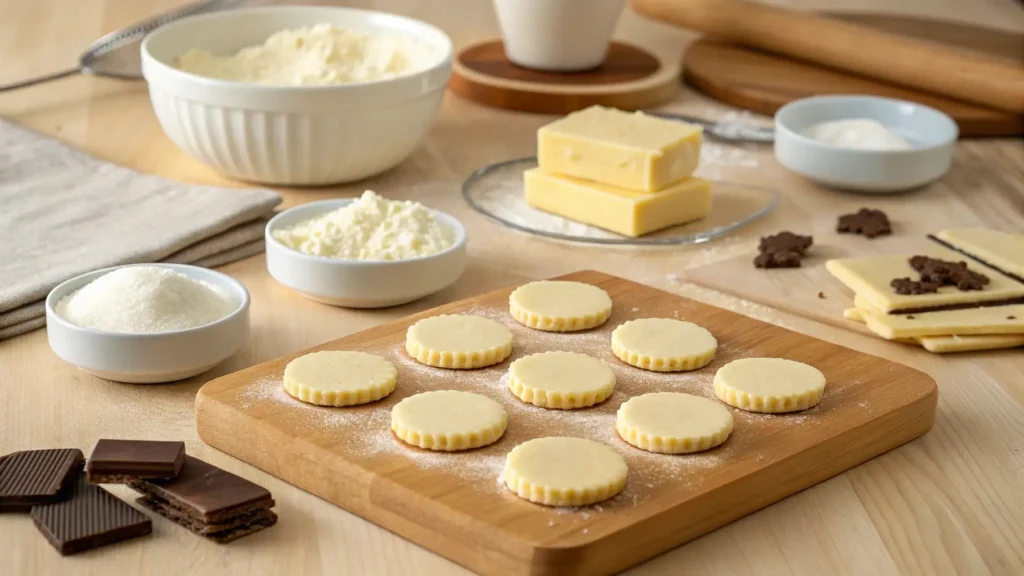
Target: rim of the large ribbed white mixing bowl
(444,62)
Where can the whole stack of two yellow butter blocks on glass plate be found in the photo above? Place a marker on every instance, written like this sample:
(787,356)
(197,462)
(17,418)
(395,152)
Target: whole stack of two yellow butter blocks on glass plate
(626,173)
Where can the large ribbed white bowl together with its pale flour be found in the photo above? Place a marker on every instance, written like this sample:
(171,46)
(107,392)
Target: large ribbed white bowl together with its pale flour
(302,96)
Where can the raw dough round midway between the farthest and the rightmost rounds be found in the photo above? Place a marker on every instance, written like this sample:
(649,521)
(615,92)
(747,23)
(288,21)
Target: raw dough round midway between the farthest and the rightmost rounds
(663,345)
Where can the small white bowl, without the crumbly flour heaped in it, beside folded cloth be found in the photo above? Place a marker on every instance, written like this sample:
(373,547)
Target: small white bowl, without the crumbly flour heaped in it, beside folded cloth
(361,284)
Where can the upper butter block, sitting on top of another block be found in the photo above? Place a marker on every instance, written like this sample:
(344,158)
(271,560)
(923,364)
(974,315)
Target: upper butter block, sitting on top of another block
(623,149)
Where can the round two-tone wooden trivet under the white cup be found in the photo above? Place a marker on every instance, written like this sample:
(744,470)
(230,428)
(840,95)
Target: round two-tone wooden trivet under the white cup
(630,79)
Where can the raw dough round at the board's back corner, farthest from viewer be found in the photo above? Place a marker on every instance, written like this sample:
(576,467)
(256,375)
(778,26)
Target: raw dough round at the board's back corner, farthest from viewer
(560,307)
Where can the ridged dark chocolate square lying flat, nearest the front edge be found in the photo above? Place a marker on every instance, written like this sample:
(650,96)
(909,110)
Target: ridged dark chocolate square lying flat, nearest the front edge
(91,518)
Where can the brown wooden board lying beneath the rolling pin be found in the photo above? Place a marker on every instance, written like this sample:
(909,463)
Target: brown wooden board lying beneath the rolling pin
(763,83)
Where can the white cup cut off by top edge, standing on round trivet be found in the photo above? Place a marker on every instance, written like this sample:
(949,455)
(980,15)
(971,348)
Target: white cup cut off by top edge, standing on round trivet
(558,35)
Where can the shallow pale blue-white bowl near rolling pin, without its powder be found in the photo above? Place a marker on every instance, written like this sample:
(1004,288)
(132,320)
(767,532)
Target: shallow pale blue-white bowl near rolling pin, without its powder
(931,133)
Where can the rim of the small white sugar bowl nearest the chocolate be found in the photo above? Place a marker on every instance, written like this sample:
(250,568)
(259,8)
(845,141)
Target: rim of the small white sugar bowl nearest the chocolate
(53,315)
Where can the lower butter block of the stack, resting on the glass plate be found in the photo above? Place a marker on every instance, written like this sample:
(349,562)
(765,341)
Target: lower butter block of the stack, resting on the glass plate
(624,212)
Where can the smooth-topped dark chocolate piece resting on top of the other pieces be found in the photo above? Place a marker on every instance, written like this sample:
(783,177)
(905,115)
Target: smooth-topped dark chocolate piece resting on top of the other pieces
(118,462)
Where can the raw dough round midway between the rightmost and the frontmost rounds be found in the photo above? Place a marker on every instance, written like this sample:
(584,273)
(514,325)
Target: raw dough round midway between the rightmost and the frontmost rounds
(673,424)
